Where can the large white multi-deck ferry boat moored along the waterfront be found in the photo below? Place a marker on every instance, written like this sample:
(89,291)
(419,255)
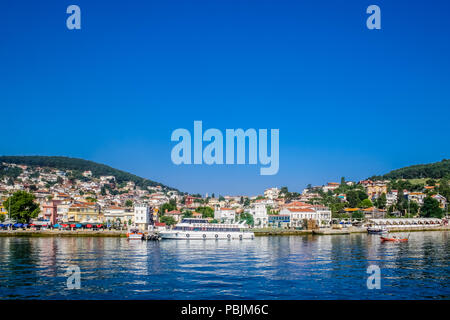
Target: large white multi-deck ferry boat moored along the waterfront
(201,229)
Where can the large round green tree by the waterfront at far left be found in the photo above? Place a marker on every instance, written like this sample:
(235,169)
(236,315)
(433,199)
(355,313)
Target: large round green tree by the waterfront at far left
(23,207)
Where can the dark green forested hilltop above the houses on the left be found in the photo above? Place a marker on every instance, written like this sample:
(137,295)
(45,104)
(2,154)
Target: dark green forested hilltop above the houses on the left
(66,163)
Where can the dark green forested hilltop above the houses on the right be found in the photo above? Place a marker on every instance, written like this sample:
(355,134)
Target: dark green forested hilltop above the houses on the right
(435,170)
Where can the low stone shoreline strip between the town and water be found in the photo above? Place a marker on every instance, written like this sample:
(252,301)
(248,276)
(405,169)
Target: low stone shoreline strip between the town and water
(258,232)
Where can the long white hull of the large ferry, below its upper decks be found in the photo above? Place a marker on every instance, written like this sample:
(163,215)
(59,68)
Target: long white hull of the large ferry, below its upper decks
(205,235)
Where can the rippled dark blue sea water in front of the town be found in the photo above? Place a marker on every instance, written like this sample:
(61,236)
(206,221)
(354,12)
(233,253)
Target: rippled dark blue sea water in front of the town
(297,267)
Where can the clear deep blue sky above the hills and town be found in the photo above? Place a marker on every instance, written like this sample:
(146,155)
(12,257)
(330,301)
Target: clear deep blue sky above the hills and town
(348,101)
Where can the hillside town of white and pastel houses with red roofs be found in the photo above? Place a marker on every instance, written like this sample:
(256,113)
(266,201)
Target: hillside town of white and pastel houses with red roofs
(101,200)
